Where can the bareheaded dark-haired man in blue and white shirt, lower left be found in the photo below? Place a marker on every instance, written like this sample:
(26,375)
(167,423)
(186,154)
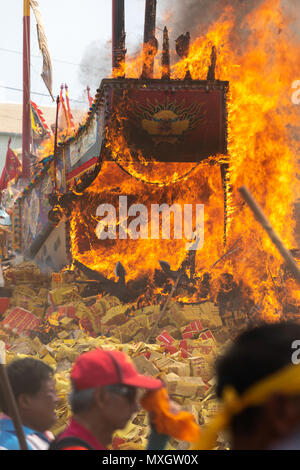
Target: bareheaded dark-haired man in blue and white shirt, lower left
(34,390)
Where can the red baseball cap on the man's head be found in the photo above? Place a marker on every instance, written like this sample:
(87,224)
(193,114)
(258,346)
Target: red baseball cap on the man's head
(98,368)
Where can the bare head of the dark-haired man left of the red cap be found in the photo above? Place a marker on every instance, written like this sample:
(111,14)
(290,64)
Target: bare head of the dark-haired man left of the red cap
(34,390)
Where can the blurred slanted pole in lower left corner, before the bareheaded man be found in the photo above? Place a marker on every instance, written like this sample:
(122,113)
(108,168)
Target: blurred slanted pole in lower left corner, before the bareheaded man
(10,399)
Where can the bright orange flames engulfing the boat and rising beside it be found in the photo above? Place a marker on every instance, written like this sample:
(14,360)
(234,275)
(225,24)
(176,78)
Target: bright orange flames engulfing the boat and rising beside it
(261,156)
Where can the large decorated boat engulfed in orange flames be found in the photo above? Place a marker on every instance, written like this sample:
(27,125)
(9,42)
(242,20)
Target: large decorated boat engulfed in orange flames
(173,137)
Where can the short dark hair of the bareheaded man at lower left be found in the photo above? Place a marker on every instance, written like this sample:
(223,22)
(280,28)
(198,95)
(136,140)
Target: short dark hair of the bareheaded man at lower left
(26,376)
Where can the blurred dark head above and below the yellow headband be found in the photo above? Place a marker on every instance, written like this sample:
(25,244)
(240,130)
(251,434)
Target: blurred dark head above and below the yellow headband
(255,355)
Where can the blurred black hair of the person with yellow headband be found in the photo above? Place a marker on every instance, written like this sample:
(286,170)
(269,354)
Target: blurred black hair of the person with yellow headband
(255,354)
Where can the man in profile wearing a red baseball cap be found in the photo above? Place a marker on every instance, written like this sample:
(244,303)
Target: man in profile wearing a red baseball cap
(103,399)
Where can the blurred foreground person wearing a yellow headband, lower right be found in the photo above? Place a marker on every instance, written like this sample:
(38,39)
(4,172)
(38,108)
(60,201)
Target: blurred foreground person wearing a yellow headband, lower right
(258,383)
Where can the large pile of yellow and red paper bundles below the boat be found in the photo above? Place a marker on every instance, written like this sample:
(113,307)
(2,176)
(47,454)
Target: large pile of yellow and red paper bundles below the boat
(50,319)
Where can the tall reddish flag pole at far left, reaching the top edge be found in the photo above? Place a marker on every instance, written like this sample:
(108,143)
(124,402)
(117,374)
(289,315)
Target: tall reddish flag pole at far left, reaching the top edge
(26,118)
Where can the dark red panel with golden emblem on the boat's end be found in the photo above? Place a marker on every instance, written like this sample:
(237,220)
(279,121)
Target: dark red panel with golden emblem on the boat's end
(188,125)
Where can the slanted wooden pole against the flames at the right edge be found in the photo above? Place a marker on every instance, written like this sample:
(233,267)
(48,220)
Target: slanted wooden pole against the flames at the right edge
(261,218)
